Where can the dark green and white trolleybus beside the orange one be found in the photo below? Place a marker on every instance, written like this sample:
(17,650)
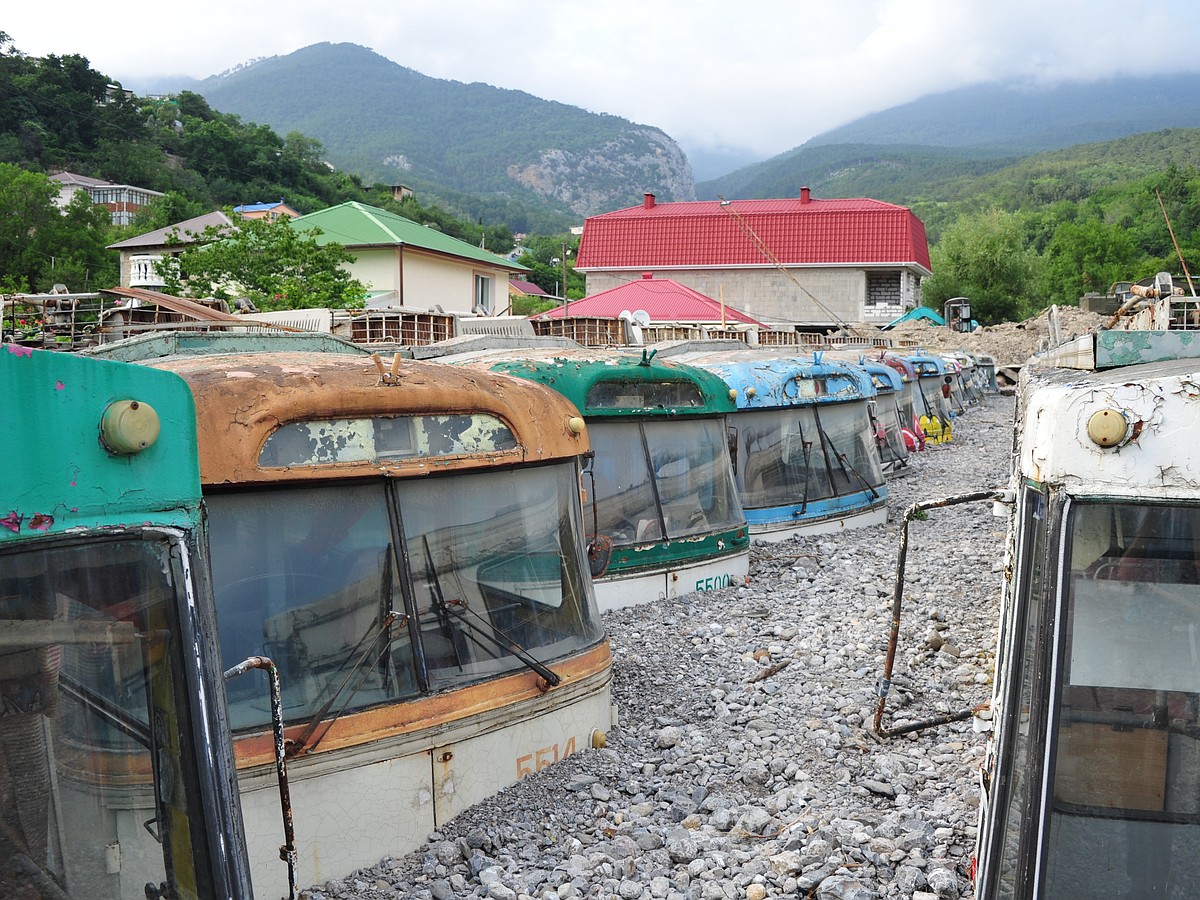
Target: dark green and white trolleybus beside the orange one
(661,488)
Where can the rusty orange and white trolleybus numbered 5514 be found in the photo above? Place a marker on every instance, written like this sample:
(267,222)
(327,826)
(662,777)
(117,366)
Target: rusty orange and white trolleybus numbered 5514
(405,541)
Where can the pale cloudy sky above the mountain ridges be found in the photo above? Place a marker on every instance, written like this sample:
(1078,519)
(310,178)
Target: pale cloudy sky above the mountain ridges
(757,77)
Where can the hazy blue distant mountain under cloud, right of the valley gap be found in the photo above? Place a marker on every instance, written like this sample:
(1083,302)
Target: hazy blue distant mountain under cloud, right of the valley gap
(973,131)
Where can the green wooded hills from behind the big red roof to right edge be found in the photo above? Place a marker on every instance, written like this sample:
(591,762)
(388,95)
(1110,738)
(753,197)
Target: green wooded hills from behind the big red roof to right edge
(1018,235)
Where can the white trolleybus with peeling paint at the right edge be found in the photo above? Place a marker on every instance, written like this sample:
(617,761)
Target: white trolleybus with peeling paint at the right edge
(1093,784)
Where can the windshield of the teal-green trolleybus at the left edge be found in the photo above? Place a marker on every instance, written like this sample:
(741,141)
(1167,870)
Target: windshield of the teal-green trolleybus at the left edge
(97,719)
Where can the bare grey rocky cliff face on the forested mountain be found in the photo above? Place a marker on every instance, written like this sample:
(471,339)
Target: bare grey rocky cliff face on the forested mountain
(611,176)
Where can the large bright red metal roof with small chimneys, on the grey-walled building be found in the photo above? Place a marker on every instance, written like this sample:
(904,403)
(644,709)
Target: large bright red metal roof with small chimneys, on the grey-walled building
(799,232)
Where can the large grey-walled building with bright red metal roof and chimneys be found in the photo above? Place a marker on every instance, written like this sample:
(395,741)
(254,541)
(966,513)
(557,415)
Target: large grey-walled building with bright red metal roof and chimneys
(800,261)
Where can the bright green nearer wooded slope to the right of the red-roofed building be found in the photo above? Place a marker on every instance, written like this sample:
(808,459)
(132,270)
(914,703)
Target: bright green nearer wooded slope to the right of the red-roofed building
(1057,226)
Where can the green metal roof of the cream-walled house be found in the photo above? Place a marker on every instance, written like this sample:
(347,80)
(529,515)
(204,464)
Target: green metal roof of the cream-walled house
(358,225)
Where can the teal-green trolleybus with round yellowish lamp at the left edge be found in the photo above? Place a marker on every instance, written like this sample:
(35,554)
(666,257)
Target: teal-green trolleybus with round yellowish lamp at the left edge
(117,775)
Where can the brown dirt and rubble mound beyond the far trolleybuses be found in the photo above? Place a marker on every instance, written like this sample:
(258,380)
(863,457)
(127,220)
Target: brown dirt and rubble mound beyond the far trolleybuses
(1010,344)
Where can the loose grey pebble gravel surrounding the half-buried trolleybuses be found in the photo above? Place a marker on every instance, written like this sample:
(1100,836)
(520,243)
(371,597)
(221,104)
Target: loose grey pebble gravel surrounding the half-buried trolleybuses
(745,765)
